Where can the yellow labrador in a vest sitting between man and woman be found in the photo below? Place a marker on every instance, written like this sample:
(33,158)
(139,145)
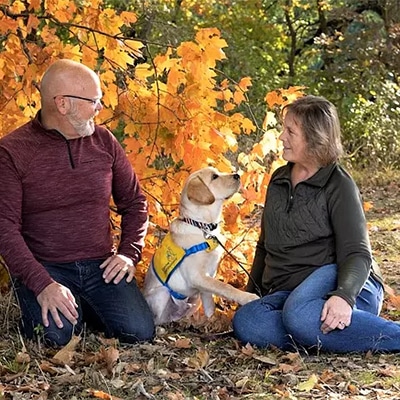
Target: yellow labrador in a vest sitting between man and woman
(183,268)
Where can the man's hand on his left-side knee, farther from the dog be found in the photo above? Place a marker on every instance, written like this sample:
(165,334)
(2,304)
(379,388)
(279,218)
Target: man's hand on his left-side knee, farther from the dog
(57,298)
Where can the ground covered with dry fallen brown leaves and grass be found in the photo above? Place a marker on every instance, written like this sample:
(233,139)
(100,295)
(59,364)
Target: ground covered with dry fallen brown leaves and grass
(198,359)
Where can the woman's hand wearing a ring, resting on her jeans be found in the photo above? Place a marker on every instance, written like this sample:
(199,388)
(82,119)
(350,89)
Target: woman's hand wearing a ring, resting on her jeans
(336,314)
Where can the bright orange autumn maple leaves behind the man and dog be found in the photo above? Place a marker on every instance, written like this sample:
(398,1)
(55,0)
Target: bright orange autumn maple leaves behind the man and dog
(173,111)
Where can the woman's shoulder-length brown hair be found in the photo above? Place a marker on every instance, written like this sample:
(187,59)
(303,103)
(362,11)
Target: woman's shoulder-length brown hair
(320,124)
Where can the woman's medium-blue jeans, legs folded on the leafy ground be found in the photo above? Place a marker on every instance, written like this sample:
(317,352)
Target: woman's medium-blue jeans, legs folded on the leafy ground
(291,320)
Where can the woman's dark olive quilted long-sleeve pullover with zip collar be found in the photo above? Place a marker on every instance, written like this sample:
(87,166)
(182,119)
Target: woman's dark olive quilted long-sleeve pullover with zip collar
(320,221)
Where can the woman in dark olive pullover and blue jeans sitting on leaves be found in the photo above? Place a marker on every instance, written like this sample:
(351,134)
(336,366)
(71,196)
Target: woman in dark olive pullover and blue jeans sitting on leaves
(313,259)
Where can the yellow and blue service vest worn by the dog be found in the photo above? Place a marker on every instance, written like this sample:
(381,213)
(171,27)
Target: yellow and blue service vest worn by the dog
(169,256)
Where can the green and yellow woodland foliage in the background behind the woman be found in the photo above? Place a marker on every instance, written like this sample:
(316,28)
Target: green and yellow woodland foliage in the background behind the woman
(345,50)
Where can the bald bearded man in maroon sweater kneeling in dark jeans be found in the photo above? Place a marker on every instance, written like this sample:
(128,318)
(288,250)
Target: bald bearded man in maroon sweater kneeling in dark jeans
(57,175)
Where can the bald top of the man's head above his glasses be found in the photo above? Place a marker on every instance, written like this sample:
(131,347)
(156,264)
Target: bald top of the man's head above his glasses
(67,77)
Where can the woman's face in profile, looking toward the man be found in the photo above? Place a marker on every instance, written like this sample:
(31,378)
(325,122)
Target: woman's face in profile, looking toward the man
(295,147)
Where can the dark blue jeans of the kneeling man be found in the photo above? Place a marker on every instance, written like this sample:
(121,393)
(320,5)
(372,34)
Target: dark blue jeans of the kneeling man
(119,310)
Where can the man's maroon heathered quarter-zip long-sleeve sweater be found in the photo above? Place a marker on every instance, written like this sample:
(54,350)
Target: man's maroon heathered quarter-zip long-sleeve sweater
(54,200)
